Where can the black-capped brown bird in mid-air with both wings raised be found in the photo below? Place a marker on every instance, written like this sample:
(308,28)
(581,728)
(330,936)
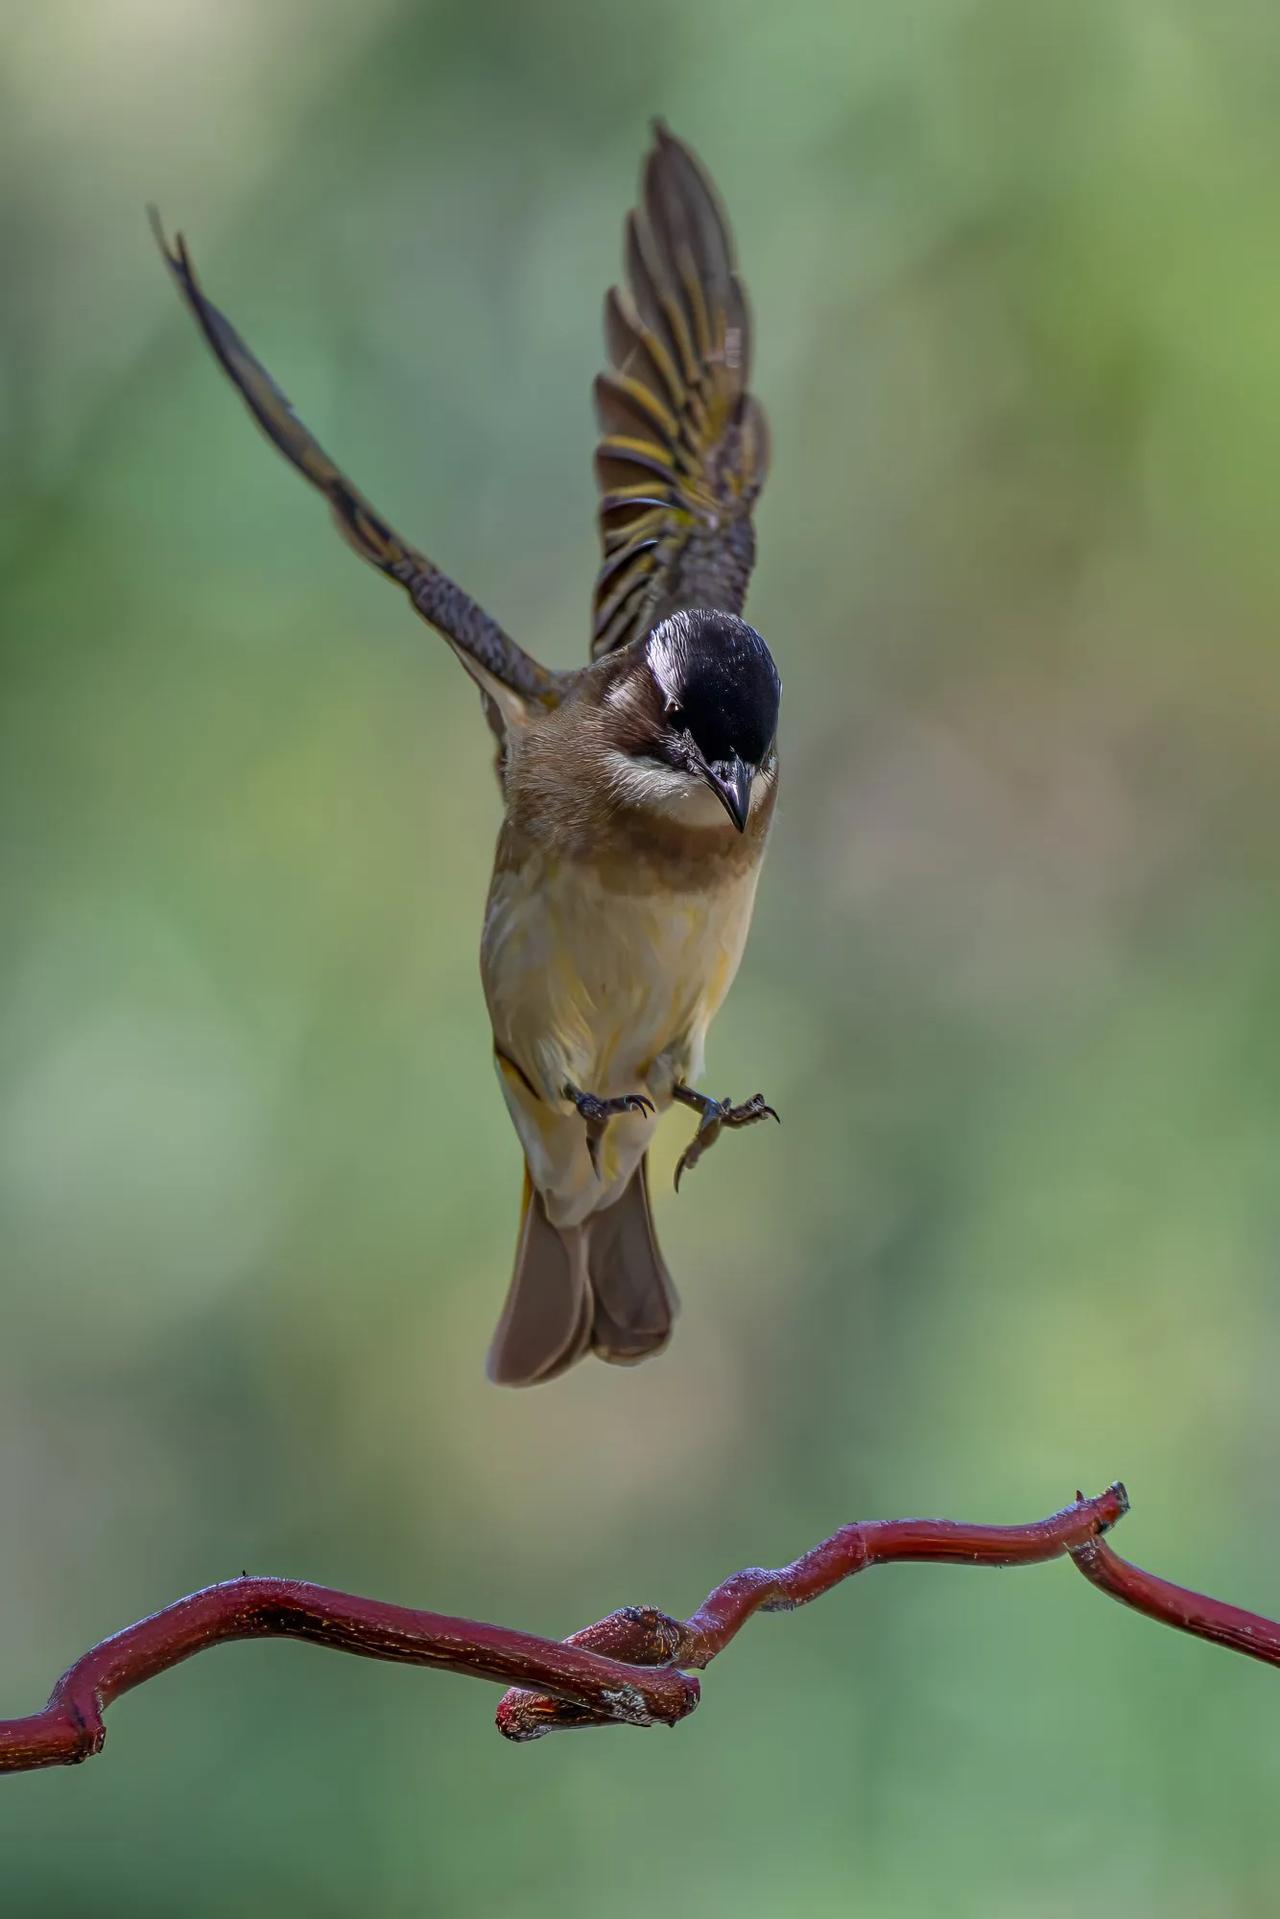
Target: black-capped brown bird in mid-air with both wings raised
(638,790)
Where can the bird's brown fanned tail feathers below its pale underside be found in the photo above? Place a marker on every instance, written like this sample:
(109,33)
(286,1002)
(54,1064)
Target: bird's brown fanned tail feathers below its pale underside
(598,1287)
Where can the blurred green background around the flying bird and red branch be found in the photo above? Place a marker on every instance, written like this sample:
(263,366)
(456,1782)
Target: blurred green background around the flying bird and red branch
(1012,983)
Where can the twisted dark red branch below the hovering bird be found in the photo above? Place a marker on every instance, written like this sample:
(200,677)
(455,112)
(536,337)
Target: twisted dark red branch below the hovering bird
(621,1670)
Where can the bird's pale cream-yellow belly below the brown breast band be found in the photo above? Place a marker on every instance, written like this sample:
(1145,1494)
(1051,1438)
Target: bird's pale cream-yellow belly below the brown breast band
(611,993)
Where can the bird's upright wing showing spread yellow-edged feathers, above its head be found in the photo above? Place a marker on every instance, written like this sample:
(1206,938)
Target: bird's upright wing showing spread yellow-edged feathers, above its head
(686,446)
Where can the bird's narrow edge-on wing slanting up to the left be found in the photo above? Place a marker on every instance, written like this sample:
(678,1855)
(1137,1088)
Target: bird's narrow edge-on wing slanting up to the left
(506,673)
